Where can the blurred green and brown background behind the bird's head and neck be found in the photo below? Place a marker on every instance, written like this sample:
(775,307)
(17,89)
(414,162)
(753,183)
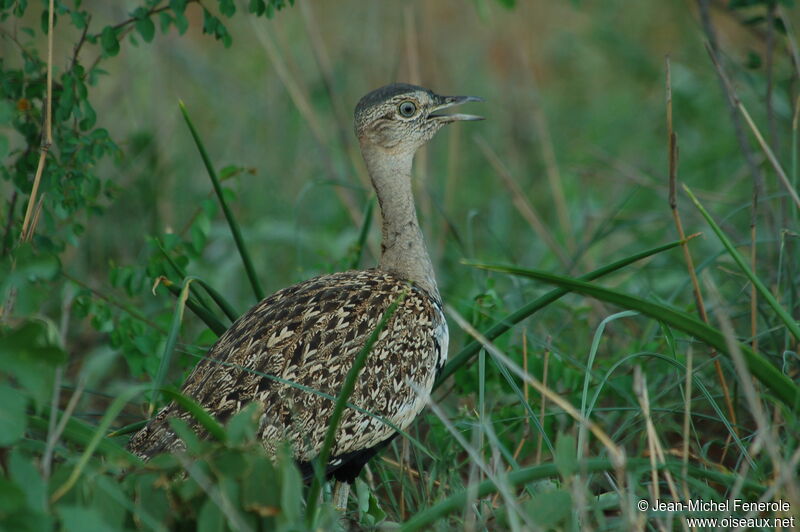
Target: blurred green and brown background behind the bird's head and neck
(577,86)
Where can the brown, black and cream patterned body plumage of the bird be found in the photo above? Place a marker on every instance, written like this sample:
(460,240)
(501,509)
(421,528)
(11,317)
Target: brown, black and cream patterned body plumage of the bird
(310,334)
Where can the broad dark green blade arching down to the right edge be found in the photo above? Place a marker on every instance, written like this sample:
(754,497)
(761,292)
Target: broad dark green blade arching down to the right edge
(783,387)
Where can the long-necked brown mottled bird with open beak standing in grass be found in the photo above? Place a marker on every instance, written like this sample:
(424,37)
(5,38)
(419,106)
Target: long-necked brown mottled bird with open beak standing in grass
(309,334)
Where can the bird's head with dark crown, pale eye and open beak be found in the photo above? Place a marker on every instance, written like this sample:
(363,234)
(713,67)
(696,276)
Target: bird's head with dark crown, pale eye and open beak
(401,117)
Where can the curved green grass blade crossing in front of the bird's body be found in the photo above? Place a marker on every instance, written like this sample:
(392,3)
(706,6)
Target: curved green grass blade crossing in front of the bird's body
(341,401)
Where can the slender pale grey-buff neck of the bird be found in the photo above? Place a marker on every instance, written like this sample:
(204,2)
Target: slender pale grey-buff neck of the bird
(403,250)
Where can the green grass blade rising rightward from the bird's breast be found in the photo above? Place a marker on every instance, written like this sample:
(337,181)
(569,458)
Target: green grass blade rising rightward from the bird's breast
(471,349)
